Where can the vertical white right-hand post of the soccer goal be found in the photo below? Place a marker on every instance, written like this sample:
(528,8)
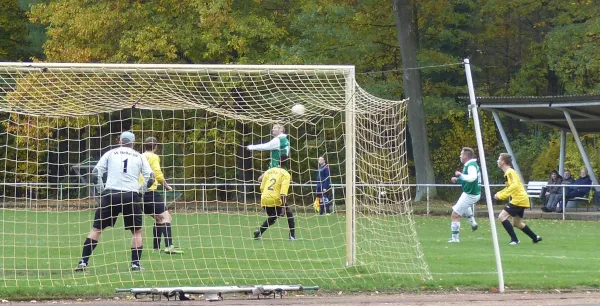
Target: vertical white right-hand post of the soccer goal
(350,171)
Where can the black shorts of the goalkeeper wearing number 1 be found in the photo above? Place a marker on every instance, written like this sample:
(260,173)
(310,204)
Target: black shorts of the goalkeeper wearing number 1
(115,202)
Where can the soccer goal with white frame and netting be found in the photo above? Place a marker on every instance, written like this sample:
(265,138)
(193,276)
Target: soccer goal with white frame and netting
(56,120)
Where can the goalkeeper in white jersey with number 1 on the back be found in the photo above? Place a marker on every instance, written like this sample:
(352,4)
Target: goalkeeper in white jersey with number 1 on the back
(121,194)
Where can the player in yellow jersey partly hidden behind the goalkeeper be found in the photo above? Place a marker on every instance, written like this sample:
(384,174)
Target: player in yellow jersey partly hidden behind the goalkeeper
(154,203)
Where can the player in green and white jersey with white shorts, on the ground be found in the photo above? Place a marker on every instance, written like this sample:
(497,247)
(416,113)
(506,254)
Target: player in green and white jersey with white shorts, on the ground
(470,180)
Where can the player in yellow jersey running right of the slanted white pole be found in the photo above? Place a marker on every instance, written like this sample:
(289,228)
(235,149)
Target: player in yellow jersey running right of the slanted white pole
(518,201)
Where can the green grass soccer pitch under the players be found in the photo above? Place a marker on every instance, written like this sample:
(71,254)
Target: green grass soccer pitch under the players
(38,260)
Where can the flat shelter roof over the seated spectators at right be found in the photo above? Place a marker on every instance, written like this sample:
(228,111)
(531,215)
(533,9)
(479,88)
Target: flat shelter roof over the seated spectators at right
(584,110)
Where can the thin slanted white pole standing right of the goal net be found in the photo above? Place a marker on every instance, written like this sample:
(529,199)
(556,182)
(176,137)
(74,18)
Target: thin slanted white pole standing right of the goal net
(486,181)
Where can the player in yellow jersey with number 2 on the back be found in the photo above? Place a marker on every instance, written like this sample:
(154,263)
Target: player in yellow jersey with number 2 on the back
(274,189)
